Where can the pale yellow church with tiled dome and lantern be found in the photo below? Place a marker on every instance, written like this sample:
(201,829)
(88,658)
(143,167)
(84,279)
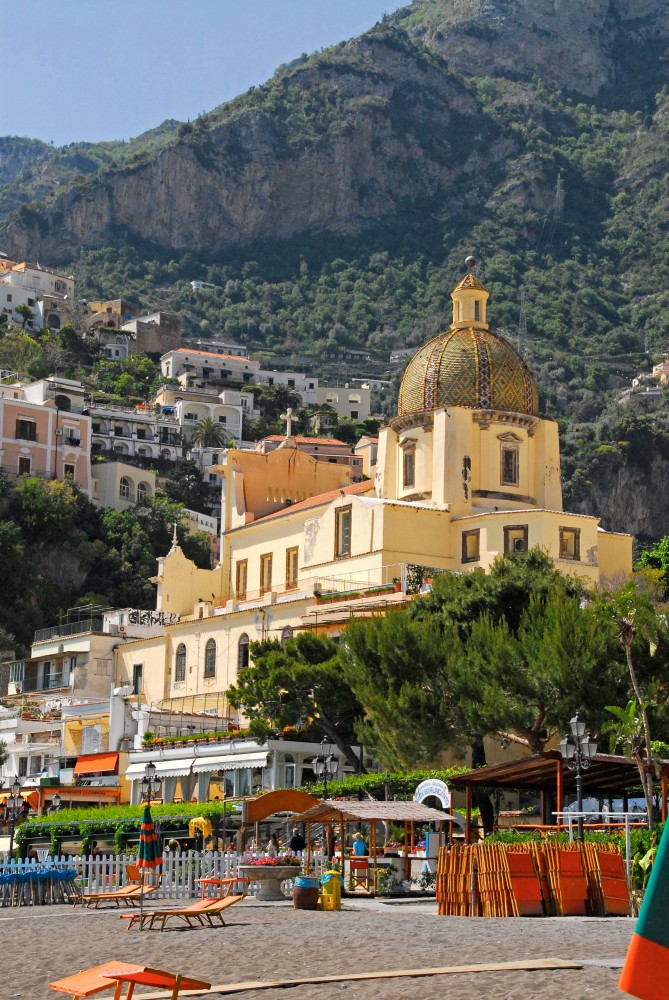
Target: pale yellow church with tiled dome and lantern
(467,471)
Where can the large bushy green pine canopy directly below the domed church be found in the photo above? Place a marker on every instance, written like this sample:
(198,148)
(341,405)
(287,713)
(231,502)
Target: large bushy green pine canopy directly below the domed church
(511,653)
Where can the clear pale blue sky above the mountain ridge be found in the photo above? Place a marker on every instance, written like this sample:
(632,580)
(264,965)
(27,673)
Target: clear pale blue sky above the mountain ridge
(90,70)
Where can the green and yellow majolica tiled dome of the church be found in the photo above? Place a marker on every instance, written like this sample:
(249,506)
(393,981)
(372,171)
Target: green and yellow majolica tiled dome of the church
(468,366)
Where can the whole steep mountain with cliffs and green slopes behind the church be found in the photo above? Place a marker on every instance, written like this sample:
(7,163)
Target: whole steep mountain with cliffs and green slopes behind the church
(333,207)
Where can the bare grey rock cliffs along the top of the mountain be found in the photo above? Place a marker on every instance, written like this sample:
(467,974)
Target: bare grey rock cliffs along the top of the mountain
(342,141)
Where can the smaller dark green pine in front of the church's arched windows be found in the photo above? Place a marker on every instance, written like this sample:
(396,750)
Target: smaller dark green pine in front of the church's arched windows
(298,682)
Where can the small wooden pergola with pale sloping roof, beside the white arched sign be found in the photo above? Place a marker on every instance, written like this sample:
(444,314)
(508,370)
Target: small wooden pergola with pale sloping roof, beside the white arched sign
(340,813)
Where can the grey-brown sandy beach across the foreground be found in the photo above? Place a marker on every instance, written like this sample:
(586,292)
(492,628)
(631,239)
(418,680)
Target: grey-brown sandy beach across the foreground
(275,941)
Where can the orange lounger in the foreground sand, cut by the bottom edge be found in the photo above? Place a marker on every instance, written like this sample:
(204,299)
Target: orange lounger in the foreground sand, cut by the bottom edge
(112,975)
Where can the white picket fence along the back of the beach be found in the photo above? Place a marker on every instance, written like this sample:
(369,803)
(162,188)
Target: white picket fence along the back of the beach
(180,872)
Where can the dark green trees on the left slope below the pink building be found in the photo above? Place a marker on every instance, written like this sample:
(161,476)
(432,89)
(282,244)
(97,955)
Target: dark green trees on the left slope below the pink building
(58,551)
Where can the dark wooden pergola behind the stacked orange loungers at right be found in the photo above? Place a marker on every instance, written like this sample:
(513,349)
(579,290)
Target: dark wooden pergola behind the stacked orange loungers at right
(547,772)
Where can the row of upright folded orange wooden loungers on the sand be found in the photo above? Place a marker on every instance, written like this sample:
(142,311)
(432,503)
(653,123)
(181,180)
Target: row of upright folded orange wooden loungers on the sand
(532,879)
